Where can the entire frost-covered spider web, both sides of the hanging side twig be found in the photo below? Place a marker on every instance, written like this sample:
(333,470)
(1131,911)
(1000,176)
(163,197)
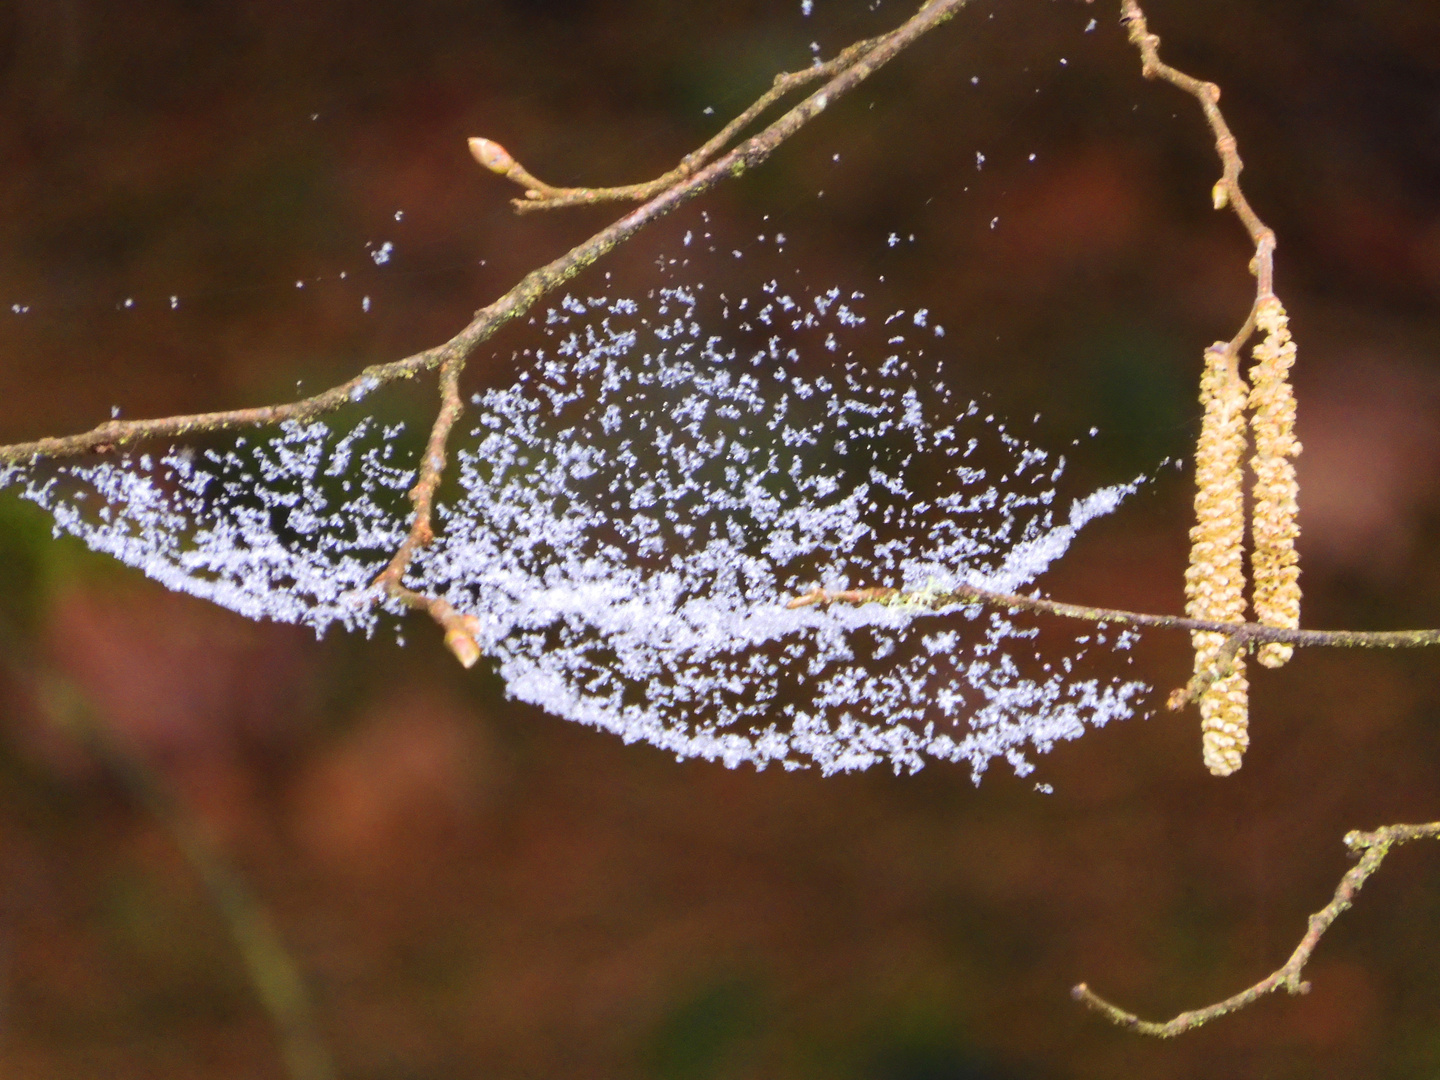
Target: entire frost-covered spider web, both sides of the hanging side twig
(629,521)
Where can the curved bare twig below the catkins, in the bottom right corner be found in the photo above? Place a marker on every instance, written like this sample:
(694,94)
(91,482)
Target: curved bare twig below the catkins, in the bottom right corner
(1372,847)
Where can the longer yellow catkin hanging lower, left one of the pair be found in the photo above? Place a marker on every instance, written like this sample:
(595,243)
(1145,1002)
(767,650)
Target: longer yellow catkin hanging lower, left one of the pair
(1216,581)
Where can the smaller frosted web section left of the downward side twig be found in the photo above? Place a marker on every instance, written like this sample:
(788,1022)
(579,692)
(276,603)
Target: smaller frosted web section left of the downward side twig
(290,528)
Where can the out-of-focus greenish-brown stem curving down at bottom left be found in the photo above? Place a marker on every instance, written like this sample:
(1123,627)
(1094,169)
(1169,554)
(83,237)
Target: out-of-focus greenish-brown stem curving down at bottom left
(273,971)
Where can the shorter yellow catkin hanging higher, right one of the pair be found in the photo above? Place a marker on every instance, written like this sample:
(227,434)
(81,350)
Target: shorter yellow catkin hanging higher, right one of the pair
(1272,402)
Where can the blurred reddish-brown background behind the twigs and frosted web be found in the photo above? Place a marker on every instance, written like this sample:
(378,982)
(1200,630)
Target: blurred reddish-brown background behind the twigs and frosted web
(480,891)
